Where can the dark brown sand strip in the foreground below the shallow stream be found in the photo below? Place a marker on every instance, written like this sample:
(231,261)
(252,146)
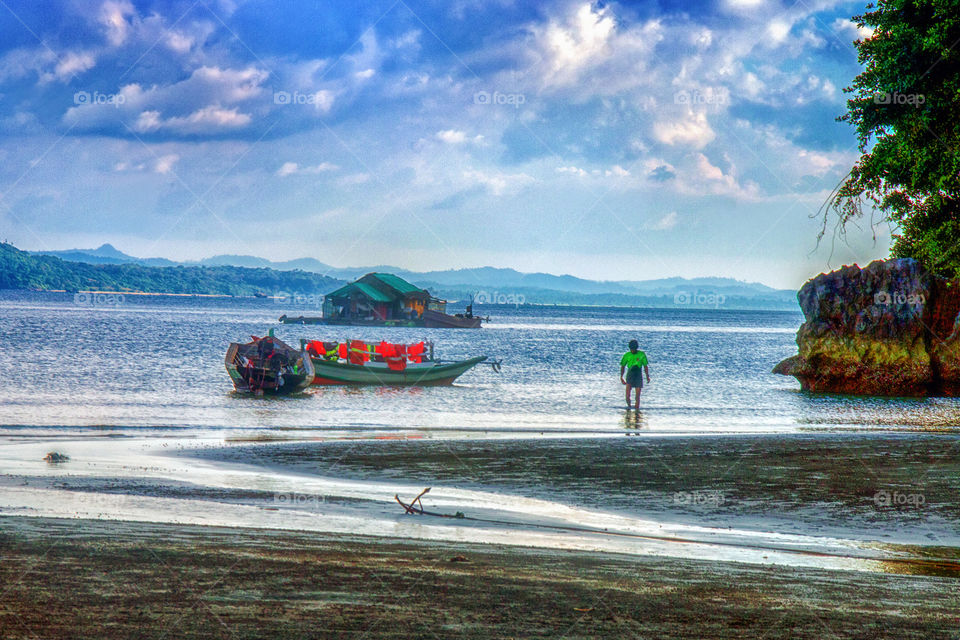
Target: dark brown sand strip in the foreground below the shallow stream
(86,579)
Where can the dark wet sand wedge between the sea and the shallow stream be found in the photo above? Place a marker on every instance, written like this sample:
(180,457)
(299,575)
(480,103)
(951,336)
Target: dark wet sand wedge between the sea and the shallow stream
(896,487)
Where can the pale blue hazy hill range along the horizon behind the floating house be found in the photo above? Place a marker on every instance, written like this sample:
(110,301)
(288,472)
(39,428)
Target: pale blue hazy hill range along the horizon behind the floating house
(492,283)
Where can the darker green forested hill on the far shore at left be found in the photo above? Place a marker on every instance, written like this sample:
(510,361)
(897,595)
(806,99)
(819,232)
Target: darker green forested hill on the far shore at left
(23,270)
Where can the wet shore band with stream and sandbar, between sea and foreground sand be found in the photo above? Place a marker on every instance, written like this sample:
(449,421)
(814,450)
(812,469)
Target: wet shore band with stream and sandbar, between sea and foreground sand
(583,495)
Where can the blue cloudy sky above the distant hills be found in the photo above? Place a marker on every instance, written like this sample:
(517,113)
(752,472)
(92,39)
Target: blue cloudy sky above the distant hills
(622,140)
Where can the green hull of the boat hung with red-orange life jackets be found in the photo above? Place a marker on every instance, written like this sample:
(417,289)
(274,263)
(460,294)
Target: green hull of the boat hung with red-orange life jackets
(328,373)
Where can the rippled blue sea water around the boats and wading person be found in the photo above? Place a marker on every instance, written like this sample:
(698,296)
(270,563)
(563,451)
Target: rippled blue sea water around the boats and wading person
(158,362)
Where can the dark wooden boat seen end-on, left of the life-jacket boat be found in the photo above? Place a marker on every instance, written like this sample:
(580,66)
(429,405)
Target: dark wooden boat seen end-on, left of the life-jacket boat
(268,366)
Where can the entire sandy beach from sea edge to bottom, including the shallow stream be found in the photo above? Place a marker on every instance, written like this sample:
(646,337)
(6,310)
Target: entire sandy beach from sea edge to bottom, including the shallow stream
(166,536)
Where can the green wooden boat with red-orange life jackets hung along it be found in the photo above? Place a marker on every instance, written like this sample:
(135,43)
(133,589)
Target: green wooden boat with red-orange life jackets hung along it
(360,364)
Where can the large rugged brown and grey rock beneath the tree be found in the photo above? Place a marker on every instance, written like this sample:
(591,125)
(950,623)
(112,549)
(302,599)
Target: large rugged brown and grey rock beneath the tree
(889,329)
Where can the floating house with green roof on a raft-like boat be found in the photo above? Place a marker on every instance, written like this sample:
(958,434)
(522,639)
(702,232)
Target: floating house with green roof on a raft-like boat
(386,300)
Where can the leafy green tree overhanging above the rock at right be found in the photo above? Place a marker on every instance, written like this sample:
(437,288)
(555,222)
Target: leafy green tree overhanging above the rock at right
(905,106)
